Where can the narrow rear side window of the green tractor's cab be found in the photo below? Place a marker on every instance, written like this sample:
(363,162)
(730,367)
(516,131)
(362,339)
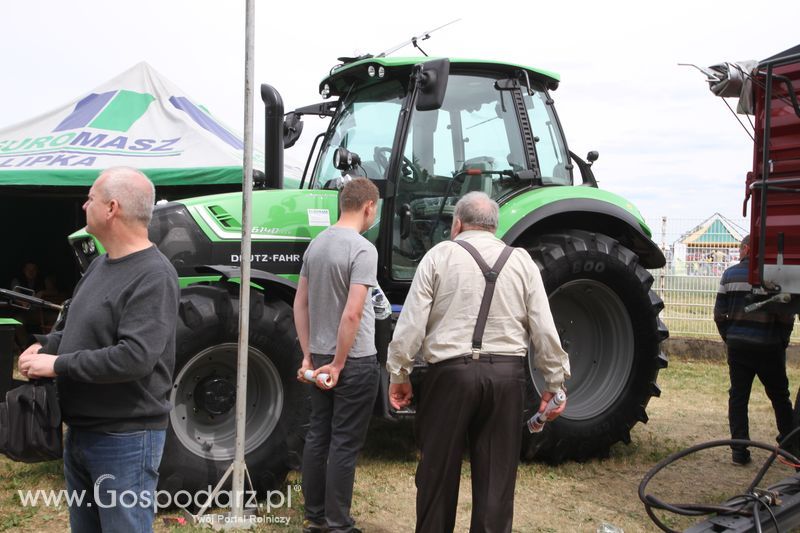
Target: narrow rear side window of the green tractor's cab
(550,149)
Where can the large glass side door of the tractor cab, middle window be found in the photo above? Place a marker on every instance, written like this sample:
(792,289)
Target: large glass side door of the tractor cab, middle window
(476,130)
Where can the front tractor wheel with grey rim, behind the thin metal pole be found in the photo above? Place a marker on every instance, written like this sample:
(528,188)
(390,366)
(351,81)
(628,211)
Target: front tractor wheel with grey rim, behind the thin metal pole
(201,436)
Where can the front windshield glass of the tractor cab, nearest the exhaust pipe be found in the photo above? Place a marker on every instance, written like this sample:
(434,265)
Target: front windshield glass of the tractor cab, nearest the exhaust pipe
(366,127)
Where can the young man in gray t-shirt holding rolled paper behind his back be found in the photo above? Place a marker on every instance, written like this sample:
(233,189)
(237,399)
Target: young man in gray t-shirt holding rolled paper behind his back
(335,324)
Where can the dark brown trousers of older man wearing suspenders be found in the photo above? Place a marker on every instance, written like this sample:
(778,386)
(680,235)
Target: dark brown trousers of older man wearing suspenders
(478,404)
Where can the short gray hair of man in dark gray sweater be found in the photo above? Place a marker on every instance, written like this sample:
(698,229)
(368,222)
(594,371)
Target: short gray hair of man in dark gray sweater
(134,192)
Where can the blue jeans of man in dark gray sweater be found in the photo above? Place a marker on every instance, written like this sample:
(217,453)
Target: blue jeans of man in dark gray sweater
(117,473)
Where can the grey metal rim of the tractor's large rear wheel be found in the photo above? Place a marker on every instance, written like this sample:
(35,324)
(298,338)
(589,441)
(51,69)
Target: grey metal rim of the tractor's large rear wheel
(595,329)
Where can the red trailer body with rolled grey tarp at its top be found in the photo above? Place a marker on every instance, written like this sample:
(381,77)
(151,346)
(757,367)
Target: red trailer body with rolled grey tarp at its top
(768,90)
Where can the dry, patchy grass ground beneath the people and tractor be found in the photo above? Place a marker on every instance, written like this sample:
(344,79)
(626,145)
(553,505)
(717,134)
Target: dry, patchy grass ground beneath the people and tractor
(572,497)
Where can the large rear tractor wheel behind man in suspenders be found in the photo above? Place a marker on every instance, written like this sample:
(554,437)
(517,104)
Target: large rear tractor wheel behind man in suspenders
(607,319)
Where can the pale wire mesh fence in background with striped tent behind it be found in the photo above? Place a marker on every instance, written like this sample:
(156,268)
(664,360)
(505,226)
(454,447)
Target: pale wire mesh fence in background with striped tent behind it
(697,252)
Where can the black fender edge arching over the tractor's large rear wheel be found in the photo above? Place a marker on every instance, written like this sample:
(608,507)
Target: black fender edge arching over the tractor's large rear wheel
(593,215)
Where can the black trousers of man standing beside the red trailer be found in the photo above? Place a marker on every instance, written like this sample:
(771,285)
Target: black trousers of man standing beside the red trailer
(769,364)
